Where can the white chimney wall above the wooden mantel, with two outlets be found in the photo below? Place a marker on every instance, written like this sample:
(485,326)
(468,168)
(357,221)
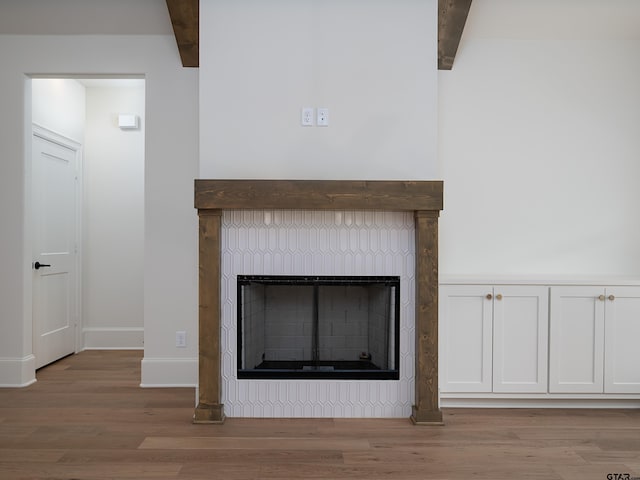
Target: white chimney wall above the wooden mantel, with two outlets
(372,63)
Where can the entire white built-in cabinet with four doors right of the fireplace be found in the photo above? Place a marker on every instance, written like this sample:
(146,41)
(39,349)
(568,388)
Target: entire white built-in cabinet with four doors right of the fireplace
(539,344)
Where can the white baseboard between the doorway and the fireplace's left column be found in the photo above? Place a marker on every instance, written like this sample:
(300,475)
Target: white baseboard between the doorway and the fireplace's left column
(169,372)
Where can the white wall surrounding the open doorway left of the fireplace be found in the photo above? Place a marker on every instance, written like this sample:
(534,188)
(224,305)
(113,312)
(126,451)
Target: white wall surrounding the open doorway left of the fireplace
(171,164)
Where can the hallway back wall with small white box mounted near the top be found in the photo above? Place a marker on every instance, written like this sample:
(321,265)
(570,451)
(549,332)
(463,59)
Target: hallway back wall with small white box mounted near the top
(113,221)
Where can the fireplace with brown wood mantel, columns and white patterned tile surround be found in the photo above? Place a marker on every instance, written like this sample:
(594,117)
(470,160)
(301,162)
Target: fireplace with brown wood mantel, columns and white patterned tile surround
(265,228)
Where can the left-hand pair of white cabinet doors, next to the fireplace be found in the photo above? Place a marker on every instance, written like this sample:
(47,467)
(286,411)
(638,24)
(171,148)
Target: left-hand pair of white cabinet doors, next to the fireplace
(493,338)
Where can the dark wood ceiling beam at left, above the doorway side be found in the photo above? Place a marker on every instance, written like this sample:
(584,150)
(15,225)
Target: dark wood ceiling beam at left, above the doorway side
(185,18)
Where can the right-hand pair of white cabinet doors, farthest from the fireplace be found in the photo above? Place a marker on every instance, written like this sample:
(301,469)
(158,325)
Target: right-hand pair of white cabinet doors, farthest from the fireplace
(594,338)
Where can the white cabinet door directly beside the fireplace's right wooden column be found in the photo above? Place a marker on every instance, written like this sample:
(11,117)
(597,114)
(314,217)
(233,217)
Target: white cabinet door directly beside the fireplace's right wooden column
(465,338)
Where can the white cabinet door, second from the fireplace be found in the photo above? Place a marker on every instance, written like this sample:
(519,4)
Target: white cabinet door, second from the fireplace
(520,338)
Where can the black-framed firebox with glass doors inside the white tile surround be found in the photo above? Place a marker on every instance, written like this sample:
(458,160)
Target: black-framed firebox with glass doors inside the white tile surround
(318,327)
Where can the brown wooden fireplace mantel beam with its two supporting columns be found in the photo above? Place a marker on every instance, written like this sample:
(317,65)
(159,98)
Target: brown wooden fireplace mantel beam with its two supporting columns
(424,198)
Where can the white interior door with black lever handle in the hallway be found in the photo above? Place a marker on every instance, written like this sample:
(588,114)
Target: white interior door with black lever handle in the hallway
(54,190)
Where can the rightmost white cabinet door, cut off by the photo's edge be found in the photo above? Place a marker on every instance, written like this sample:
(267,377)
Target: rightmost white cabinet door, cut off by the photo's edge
(622,340)
